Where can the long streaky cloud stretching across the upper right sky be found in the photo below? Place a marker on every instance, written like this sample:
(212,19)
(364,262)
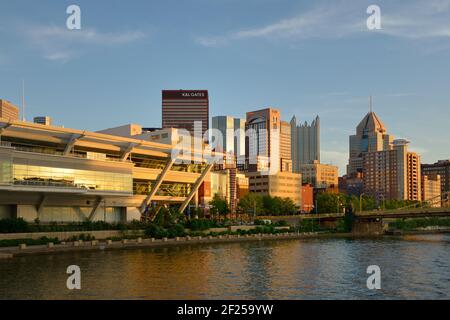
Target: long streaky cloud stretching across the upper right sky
(413,20)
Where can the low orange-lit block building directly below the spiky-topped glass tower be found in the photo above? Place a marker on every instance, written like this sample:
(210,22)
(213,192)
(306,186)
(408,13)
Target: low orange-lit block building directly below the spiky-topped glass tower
(321,176)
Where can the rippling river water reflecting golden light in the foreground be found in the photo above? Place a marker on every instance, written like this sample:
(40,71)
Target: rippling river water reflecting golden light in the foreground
(412,267)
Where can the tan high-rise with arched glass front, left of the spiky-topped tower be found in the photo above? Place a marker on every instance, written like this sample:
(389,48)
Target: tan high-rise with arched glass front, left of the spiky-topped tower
(263,140)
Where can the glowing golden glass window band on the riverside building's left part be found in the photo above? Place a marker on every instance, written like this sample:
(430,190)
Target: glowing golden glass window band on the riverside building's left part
(72,178)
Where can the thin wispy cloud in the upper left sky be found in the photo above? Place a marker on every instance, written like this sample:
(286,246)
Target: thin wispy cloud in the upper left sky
(60,44)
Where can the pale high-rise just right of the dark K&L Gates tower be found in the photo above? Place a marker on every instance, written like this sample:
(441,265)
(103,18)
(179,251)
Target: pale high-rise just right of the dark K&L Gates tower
(233,134)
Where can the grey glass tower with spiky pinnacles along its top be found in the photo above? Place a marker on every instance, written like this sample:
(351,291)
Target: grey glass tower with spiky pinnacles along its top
(305,142)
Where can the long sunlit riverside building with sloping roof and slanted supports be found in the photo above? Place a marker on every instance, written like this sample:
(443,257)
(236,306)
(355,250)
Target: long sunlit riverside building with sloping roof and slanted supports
(57,174)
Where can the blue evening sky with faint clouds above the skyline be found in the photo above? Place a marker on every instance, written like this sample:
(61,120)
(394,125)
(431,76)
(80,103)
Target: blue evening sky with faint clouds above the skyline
(305,58)
